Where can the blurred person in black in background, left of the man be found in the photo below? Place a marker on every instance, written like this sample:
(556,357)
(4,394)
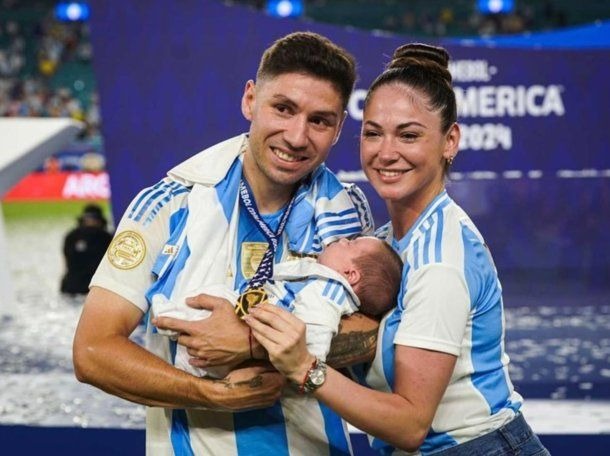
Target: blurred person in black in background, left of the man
(84,248)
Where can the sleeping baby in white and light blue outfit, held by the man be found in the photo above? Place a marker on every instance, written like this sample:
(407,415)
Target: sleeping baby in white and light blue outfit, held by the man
(362,274)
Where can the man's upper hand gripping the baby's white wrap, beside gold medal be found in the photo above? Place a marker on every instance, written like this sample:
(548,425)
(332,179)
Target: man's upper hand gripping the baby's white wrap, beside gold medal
(220,339)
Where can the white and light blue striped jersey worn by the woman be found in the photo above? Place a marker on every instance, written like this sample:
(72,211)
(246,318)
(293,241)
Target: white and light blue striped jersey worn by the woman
(450,301)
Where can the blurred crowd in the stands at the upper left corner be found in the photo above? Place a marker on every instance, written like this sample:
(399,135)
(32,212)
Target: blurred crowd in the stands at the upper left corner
(35,49)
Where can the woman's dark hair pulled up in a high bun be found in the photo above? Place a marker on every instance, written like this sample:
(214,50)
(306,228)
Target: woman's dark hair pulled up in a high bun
(424,68)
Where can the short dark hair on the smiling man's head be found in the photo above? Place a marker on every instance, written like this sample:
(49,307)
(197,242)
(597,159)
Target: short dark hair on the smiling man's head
(311,54)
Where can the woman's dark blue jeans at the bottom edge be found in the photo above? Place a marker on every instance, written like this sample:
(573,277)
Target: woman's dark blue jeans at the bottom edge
(514,438)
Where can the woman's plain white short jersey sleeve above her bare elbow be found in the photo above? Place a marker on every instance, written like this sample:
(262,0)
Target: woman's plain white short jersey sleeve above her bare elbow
(436,309)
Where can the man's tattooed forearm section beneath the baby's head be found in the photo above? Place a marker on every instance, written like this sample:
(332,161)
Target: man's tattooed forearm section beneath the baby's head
(356,341)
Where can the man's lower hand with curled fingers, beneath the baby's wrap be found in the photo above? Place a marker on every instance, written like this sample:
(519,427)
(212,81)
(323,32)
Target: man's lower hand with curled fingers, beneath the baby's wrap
(248,387)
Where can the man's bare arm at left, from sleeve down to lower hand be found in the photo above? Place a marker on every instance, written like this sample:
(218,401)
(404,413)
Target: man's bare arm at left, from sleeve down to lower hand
(105,357)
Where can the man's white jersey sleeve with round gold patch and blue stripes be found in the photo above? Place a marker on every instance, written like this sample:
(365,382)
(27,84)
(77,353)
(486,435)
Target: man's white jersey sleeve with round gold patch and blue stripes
(126,268)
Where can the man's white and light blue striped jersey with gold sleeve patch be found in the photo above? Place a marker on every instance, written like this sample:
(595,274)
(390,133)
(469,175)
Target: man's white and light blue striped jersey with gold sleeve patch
(190,233)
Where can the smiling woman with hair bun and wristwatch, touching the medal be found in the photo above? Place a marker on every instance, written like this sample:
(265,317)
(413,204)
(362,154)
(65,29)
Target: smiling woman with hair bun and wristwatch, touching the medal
(440,375)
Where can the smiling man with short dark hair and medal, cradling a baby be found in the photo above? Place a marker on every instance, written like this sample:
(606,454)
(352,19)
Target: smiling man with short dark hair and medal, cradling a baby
(224,216)
